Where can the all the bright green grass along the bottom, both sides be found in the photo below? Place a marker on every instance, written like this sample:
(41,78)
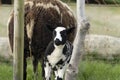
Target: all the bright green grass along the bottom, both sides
(88,70)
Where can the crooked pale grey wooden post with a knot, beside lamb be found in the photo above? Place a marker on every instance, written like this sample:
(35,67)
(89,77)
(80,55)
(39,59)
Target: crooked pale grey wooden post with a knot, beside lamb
(82,28)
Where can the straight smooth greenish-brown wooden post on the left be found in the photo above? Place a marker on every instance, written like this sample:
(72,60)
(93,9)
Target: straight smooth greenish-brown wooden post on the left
(18,39)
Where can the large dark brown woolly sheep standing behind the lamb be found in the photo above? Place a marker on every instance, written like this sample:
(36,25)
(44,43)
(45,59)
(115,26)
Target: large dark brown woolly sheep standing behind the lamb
(41,16)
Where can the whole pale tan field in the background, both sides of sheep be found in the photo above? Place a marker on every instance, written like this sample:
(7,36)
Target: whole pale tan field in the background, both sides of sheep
(104,19)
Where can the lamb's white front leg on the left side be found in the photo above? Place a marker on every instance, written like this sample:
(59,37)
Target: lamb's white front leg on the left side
(47,69)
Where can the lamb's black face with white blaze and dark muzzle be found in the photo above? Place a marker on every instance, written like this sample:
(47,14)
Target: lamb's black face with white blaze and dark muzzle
(59,35)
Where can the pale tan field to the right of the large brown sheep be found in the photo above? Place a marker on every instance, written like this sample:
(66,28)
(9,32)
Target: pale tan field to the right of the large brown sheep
(104,19)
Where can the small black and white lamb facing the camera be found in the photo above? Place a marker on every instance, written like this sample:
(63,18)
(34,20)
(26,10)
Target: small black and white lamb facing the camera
(57,54)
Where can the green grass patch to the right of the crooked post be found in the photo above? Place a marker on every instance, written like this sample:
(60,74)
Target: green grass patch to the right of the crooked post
(98,70)
